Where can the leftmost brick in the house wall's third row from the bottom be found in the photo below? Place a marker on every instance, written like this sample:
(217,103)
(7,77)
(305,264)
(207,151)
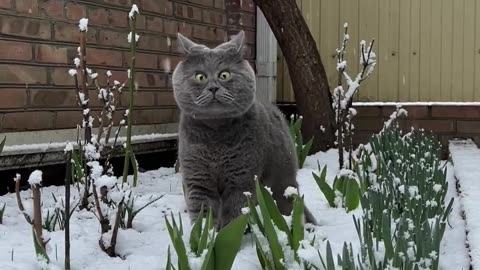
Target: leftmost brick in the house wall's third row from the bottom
(20,74)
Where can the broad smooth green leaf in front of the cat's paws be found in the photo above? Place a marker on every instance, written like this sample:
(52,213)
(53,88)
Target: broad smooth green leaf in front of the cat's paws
(228,241)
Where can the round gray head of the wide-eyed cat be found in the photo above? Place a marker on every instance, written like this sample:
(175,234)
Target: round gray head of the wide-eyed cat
(214,83)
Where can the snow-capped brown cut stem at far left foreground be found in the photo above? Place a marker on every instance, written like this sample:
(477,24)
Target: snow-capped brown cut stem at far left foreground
(33,216)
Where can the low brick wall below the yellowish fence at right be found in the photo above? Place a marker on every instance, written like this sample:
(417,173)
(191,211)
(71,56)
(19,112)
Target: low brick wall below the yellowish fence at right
(446,122)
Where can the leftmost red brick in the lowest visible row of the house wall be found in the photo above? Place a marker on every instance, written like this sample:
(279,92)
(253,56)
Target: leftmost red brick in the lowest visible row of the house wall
(28,121)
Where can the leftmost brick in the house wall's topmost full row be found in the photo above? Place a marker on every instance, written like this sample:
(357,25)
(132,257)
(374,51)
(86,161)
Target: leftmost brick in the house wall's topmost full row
(25,27)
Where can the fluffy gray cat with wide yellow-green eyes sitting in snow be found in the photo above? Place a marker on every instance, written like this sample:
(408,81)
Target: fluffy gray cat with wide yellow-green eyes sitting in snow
(226,136)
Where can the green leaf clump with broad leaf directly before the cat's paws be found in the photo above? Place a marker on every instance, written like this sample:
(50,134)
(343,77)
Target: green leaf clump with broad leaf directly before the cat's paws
(206,249)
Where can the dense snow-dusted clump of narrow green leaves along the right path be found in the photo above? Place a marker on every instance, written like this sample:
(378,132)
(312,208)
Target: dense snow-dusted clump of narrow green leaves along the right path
(404,215)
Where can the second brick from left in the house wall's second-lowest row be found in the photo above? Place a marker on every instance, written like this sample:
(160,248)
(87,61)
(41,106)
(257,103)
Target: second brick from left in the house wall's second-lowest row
(46,98)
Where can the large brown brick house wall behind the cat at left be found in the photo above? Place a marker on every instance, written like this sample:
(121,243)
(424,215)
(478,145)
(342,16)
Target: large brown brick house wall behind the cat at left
(39,39)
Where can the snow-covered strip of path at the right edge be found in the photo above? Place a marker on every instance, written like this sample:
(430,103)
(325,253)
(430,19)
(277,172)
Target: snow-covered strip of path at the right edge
(466,157)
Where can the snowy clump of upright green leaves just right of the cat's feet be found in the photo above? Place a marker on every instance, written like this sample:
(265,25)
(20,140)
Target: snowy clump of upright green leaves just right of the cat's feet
(280,244)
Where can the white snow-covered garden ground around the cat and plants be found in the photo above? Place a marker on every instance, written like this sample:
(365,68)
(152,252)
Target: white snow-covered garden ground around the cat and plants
(145,246)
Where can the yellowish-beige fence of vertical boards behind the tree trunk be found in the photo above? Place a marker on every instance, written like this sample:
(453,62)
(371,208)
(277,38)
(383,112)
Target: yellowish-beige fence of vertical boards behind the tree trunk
(427,50)
